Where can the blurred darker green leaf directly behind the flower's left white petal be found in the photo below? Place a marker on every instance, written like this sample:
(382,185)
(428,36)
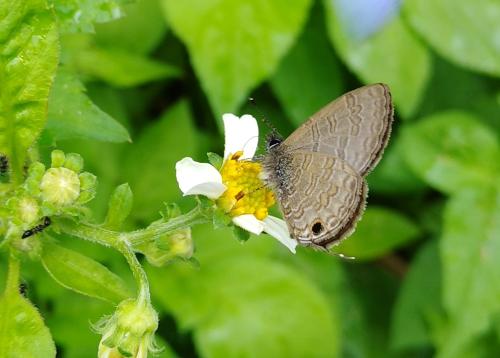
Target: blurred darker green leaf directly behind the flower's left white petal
(150,164)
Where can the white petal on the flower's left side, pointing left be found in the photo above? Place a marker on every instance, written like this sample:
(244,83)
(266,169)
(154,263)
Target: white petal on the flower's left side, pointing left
(196,178)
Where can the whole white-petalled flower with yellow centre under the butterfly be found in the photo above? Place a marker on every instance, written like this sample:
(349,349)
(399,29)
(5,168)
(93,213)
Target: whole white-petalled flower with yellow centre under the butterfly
(237,187)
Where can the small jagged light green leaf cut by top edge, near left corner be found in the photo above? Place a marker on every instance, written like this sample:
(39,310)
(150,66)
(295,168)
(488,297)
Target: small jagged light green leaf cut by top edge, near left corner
(80,15)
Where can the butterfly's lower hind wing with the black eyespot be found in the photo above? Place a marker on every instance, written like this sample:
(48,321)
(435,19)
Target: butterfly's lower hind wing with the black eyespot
(321,196)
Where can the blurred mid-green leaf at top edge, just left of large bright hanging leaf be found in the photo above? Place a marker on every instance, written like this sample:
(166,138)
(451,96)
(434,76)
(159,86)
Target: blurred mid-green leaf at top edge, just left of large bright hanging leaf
(139,31)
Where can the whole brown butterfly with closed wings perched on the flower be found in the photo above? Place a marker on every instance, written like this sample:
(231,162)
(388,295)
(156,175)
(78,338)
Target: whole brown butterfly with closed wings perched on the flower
(318,172)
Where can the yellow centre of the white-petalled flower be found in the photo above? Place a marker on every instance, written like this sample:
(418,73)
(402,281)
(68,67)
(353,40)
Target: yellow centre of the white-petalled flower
(246,193)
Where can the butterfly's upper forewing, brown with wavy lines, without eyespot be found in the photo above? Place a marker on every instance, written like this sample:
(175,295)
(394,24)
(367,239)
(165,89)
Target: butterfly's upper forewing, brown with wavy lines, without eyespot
(355,127)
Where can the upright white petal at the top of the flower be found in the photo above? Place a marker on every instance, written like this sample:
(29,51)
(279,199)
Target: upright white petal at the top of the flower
(240,134)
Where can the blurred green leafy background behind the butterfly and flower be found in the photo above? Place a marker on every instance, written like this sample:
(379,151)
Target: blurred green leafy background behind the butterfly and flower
(142,85)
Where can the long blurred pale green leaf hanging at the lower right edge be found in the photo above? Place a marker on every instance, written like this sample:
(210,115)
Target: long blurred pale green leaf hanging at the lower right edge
(469,247)
